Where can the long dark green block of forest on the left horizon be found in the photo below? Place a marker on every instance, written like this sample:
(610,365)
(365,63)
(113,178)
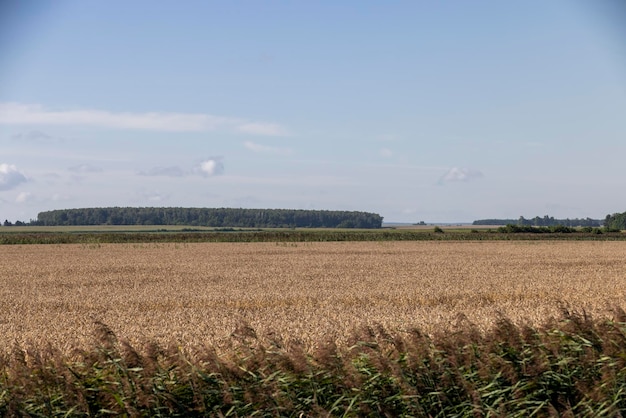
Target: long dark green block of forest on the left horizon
(220,217)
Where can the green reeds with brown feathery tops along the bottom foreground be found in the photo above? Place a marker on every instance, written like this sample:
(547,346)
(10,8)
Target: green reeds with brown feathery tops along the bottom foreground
(575,366)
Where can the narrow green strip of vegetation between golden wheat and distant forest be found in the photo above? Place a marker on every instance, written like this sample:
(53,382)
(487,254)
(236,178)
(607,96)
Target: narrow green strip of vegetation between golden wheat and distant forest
(101,235)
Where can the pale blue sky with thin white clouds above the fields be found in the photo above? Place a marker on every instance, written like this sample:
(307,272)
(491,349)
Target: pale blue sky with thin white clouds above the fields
(435,111)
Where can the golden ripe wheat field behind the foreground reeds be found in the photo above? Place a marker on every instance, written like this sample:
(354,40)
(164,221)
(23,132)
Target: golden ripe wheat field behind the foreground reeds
(208,294)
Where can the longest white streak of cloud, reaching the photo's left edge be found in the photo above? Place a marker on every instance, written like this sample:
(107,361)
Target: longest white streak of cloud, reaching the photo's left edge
(35,114)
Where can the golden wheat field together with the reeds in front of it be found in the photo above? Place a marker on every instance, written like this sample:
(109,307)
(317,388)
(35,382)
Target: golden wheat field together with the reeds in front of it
(374,328)
